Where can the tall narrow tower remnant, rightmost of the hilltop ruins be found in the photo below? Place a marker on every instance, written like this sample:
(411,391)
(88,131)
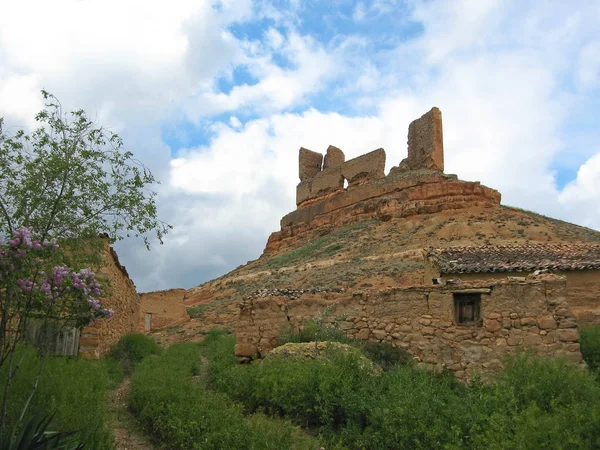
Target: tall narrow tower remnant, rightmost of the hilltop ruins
(425,143)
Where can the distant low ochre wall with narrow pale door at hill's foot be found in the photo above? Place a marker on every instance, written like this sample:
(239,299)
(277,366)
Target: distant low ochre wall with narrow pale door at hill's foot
(166,308)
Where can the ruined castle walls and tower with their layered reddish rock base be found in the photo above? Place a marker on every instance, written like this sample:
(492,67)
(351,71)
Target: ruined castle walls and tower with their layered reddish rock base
(417,186)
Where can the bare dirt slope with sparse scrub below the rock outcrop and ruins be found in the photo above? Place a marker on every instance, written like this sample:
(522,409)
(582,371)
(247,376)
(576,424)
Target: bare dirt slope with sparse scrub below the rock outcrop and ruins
(365,255)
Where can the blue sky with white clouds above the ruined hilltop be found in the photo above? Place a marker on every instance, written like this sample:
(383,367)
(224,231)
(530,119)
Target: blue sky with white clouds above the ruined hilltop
(216,98)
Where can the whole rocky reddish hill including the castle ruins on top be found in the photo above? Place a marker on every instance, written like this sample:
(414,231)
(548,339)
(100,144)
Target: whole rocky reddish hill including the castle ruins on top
(370,234)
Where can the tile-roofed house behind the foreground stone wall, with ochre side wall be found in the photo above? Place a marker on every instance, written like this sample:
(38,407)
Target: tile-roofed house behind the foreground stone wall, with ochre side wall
(578,263)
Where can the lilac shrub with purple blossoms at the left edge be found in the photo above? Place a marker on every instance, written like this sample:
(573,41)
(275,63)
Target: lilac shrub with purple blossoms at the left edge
(31,287)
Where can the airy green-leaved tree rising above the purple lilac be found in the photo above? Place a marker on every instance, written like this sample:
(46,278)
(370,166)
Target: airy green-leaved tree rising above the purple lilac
(73,179)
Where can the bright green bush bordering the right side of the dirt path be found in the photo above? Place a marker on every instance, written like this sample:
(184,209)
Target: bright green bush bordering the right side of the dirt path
(180,411)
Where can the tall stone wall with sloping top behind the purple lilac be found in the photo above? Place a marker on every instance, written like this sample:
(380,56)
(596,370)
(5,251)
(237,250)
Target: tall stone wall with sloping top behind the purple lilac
(122,297)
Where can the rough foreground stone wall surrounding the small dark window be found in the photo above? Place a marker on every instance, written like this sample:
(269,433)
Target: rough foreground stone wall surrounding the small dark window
(530,314)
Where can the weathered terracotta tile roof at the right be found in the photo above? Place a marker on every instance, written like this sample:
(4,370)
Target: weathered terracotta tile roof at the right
(516,258)
